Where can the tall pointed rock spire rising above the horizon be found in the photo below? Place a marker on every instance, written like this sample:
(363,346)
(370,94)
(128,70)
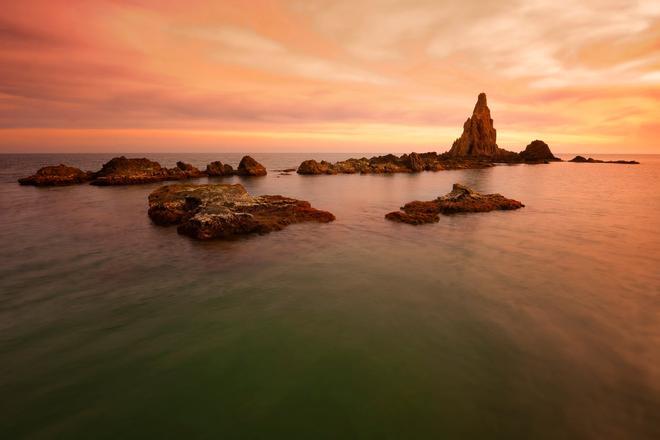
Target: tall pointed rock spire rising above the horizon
(479,138)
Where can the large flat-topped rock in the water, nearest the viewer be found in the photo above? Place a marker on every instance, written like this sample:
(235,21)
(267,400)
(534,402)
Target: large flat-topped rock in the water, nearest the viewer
(223,210)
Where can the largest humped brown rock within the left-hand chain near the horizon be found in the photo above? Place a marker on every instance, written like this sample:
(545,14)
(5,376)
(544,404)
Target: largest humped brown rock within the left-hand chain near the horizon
(124,171)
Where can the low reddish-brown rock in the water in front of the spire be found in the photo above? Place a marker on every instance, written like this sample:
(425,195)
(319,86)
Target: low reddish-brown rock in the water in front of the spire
(460,199)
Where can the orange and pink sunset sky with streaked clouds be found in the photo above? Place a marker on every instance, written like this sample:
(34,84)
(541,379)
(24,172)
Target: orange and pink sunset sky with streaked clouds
(326,75)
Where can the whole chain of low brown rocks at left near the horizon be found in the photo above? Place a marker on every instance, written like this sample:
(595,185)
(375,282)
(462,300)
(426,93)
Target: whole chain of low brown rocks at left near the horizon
(124,171)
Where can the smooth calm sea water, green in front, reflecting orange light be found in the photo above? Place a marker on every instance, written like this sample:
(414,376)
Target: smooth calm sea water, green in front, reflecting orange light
(537,323)
